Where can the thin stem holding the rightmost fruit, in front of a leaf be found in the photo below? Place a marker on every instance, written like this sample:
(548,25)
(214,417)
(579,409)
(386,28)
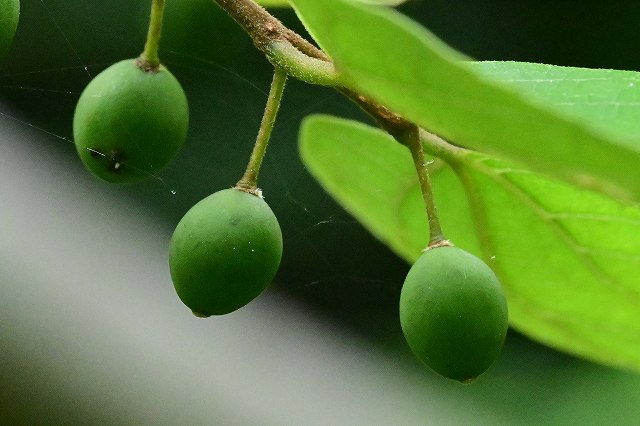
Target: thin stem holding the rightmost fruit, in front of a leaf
(411,138)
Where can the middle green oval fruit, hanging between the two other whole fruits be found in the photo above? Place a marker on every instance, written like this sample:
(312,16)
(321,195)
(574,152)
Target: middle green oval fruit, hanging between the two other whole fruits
(224,252)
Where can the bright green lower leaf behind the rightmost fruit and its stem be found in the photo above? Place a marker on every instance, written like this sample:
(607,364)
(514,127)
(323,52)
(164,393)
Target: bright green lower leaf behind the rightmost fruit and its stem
(568,258)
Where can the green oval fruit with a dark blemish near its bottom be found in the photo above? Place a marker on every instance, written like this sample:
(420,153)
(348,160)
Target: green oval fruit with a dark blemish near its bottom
(130,122)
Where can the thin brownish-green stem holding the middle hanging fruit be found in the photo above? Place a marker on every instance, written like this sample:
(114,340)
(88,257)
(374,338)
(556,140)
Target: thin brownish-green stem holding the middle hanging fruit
(249,181)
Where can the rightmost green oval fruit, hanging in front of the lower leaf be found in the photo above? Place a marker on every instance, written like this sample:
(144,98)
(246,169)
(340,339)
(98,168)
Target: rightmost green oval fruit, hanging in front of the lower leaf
(453,313)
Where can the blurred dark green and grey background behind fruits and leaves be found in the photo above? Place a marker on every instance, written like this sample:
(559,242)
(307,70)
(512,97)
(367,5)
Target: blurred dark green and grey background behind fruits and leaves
(91,330)
